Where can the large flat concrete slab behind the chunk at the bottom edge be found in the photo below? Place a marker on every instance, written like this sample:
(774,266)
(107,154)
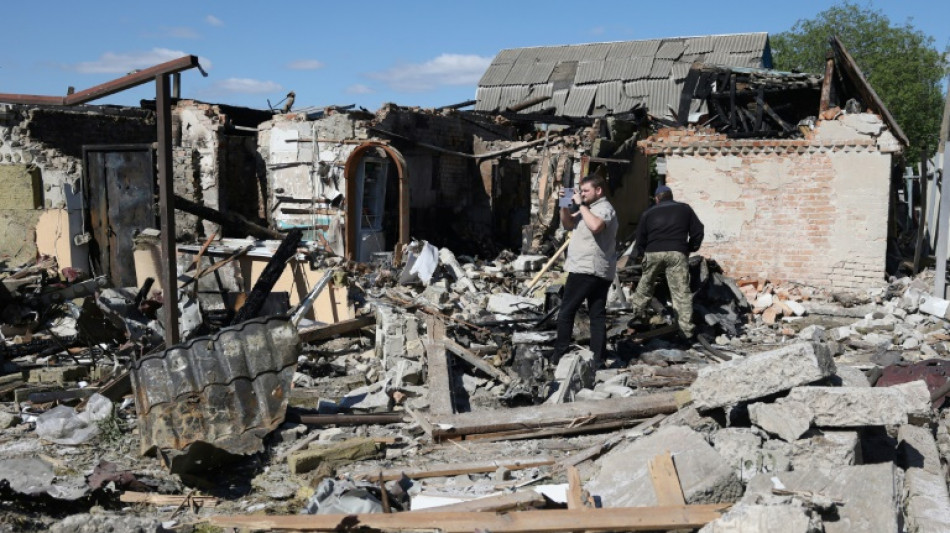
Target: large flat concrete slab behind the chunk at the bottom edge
(869,493)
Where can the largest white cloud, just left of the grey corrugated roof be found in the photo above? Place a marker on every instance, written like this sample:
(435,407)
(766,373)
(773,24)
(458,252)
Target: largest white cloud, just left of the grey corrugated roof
(446,69)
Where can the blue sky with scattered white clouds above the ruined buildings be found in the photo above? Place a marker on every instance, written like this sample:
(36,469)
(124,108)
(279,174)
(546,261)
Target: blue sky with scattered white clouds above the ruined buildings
(425,53)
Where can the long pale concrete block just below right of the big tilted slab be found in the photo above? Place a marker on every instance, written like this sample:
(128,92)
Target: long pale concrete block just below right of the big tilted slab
(864,406)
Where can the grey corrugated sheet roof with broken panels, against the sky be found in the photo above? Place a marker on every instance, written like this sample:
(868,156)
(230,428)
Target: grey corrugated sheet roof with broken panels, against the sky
(610,78)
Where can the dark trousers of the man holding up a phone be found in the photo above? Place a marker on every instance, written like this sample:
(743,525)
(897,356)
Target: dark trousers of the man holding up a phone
(580,287)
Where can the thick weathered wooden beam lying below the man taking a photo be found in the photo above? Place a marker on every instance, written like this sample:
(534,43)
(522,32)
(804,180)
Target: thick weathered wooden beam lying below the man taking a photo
(546,416)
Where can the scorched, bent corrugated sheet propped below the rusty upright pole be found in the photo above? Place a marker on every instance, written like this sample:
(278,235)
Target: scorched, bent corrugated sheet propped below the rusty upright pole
(228,390)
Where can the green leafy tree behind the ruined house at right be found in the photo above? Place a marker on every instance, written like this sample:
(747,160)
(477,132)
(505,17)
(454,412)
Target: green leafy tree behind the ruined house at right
(900,62)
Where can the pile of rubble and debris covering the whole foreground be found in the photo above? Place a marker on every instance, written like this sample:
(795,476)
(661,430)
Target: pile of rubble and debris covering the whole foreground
(438,406)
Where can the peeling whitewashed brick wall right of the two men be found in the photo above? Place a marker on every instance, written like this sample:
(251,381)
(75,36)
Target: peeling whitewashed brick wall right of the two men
(811,210)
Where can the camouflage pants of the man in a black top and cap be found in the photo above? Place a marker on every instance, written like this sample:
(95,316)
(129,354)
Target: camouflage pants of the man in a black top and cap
(674,264)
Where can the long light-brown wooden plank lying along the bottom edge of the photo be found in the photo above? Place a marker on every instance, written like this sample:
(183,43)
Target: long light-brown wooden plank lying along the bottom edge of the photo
(612,519)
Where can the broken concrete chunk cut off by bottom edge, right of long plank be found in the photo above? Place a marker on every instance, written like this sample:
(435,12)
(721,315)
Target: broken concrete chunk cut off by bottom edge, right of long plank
(779,518)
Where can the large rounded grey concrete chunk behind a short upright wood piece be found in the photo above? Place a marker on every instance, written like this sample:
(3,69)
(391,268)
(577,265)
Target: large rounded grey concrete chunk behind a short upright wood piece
(624,478)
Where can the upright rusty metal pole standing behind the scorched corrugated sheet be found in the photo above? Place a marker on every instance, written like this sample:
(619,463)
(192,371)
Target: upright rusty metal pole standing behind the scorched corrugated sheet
(166,202)
